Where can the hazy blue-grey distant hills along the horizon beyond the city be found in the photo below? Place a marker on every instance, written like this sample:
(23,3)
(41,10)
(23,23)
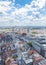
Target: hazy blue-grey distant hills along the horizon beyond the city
(28,27)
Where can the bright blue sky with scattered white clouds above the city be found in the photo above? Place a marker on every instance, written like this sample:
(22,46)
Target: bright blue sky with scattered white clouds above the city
(22,13)
